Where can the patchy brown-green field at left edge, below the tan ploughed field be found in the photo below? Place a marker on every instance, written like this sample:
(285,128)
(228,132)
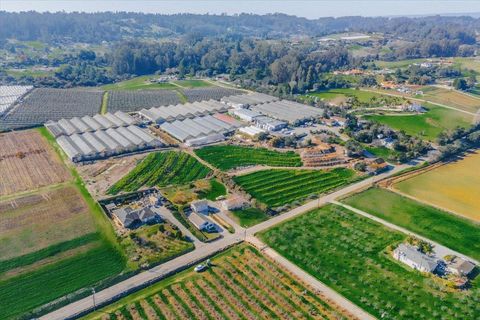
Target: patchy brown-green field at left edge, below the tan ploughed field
(36,221)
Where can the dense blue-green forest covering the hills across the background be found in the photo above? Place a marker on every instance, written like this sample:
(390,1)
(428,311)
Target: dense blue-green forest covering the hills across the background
(256,50)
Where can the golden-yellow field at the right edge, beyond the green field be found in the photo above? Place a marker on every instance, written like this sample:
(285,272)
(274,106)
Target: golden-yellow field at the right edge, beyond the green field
(454,187)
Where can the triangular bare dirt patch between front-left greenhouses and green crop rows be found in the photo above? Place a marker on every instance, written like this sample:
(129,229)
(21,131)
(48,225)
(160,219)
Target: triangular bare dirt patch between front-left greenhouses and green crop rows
(101,175)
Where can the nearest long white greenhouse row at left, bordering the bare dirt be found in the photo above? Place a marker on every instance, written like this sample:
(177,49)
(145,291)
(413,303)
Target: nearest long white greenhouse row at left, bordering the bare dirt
(101,144)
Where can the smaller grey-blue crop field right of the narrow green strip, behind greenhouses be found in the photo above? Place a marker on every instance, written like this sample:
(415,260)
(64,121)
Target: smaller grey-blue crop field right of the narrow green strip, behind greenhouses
(136,100)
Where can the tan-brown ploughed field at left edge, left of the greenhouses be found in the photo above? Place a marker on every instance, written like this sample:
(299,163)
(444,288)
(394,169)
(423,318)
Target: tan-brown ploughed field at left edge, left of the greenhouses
(27,162)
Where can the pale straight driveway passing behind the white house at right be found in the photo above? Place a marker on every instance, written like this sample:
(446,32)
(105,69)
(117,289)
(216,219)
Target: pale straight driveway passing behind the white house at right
(440,250)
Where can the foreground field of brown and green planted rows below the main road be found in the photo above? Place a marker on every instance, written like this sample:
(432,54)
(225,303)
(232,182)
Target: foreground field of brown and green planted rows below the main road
(241,285)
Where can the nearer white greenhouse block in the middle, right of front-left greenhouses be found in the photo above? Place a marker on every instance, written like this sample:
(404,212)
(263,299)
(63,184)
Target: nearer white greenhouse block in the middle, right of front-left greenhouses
(198,127)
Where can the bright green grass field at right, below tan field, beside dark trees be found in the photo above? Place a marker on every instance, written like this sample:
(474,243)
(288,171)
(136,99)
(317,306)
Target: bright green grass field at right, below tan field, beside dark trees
(427,125)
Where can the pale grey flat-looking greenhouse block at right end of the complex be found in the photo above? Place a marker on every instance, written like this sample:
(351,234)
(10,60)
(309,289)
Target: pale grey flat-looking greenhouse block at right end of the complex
(289,111)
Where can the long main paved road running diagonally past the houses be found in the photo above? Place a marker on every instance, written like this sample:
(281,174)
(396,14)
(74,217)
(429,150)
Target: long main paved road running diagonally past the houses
(203,251)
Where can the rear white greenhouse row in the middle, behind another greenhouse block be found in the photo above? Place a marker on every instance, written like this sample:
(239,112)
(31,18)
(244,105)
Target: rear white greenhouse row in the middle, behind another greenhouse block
(182,111)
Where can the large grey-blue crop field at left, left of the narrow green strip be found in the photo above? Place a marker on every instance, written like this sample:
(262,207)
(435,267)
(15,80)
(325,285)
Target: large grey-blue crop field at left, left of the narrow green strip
(45,104)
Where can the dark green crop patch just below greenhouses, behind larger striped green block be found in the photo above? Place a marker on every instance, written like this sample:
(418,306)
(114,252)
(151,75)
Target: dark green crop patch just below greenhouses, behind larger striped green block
(227,157)
